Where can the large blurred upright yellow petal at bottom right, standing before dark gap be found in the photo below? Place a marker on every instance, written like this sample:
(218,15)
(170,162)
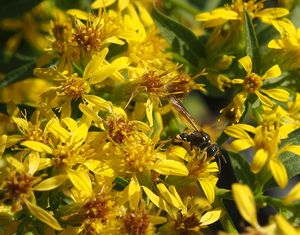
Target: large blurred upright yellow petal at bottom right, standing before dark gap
(245,202)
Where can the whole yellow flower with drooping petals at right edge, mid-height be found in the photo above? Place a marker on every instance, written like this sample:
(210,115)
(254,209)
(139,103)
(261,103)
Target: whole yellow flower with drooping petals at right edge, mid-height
(266,144)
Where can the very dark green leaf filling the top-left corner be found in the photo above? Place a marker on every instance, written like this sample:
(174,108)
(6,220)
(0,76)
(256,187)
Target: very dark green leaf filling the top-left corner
(16,8)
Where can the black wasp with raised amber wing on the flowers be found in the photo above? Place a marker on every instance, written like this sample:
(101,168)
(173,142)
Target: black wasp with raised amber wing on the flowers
(198,138)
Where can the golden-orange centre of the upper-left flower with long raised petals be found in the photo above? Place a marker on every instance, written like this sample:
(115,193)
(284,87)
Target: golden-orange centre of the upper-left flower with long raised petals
(75,87)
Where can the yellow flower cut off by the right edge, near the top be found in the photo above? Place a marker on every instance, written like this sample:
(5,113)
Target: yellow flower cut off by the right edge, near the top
(287,48)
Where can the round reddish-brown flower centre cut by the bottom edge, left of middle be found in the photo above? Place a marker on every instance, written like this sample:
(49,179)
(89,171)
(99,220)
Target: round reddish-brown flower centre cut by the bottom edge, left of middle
(136,222)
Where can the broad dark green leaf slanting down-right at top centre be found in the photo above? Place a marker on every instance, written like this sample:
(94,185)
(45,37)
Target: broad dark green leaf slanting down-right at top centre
(181,38)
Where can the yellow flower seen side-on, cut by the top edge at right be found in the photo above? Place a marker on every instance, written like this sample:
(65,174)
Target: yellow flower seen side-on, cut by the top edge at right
(235,11)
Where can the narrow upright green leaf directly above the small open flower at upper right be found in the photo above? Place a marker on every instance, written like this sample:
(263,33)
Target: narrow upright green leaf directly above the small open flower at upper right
(252,47)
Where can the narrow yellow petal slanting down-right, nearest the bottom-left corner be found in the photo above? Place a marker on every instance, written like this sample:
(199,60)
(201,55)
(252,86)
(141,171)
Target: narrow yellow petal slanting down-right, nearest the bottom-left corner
(43,215)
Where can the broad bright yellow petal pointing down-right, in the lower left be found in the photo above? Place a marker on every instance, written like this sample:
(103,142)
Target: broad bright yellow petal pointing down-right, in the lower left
(80,180)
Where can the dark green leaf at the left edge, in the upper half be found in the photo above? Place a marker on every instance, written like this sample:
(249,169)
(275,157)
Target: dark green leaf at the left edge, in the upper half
(18,74)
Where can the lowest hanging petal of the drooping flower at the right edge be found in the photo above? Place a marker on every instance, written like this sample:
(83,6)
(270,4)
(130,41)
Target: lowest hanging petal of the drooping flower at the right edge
(279,172)
